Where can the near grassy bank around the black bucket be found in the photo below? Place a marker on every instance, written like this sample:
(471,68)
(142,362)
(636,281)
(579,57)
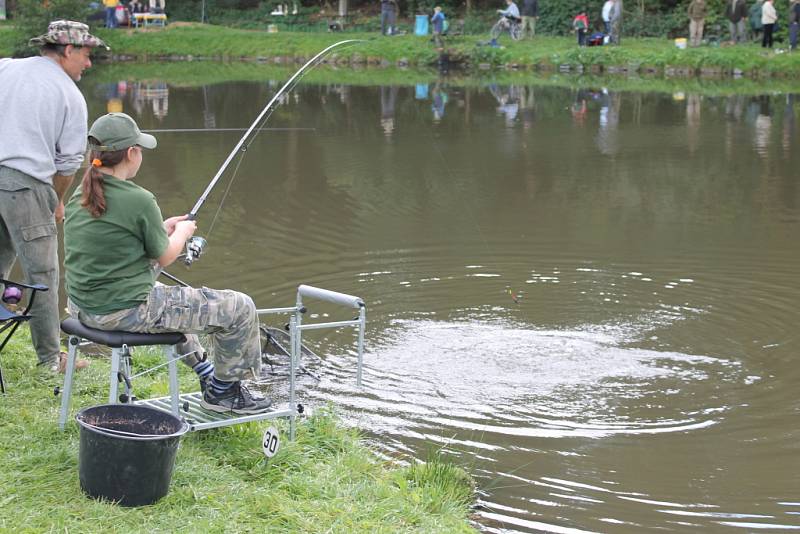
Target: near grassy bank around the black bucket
(325,481)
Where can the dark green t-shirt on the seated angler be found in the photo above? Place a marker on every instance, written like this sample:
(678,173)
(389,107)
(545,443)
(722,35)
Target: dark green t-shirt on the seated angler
(108,259)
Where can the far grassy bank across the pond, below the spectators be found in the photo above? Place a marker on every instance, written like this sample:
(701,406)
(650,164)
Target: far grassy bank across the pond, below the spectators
(645,55)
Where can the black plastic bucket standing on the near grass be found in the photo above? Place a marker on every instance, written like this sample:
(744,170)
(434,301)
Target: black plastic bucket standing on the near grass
(127,452)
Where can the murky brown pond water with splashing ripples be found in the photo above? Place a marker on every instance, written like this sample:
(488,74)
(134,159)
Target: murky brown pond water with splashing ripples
(588,298)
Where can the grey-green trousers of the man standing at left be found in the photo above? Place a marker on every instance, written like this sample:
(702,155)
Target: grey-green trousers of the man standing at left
(28,234)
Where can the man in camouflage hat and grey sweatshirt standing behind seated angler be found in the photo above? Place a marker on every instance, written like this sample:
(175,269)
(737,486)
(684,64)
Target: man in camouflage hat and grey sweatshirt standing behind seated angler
(42,143)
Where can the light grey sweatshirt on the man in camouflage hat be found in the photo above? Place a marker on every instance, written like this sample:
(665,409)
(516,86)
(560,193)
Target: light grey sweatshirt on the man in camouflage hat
(42,118)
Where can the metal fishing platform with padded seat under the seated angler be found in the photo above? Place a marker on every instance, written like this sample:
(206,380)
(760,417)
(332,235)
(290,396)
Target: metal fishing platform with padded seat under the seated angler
(284,345)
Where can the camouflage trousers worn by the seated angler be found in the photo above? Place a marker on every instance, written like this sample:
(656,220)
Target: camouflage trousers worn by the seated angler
(228,318)
